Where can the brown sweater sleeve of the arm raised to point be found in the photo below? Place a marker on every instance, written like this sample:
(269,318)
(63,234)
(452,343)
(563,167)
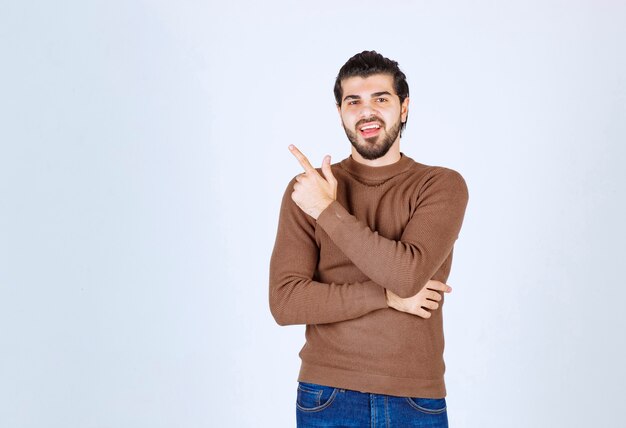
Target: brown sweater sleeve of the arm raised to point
(406,265)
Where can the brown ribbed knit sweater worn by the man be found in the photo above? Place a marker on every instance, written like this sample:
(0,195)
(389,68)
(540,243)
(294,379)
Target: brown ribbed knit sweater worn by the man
(391,227)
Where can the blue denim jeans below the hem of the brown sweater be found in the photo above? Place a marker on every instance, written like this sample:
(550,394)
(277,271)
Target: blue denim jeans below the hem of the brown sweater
(326,406)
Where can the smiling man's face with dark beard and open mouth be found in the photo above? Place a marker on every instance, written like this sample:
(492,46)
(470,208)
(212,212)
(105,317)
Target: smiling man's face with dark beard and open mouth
(371,114)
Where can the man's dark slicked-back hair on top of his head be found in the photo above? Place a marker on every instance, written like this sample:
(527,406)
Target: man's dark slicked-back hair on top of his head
(368,63)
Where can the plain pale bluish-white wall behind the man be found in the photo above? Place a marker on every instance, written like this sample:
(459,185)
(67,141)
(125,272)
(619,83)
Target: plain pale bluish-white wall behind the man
(143,157)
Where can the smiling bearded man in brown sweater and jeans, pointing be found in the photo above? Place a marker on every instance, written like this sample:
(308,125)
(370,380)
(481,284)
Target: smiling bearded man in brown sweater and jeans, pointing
(362,253)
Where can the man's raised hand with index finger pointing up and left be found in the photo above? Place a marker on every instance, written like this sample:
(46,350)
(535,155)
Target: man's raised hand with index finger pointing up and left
(312,192)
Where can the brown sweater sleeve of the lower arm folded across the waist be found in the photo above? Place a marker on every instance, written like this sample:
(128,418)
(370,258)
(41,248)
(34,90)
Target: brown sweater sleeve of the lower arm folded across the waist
(294,297)
